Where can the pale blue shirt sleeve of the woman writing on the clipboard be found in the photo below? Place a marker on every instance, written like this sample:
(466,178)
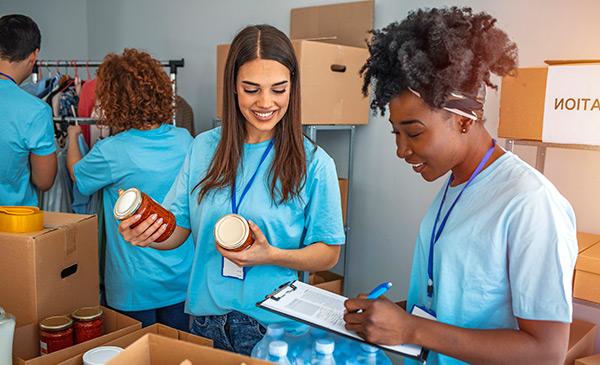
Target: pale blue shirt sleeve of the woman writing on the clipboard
(542,249)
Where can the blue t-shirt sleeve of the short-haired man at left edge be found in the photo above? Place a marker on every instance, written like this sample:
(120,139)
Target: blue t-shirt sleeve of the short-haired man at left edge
(40,133)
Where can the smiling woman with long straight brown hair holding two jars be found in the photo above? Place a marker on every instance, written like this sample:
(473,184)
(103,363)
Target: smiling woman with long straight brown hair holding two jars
(259,165)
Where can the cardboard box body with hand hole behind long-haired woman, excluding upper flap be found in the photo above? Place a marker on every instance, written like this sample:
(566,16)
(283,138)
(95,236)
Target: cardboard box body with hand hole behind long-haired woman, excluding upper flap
(329,80)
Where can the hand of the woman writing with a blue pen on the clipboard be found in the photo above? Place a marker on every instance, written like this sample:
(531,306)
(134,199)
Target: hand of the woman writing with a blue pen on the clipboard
(381,321)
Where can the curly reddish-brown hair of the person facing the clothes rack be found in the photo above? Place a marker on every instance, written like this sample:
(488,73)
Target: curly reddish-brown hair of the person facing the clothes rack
(133,90)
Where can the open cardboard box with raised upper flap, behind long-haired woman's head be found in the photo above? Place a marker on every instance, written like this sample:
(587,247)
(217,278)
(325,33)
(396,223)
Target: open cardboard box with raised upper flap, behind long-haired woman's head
(330,44)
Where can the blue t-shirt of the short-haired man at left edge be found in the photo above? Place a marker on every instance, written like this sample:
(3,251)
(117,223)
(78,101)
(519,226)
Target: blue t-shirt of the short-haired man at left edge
(26,123)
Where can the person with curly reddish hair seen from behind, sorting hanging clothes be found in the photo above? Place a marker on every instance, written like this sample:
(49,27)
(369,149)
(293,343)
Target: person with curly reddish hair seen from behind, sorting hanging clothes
(134,99)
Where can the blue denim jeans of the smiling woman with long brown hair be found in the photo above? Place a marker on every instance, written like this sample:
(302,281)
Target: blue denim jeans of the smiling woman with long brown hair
(234,331)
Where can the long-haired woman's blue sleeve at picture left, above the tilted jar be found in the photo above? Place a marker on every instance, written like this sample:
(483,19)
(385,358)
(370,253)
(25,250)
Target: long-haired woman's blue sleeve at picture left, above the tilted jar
(177,200)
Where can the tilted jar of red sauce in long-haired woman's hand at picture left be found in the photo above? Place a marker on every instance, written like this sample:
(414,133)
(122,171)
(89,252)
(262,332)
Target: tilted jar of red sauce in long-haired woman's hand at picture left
(132,201)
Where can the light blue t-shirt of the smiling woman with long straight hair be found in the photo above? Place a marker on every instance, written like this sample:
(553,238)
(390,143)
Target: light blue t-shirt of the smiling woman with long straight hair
(317,217)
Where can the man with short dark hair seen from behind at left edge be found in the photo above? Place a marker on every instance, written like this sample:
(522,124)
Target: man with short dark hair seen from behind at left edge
(27,140)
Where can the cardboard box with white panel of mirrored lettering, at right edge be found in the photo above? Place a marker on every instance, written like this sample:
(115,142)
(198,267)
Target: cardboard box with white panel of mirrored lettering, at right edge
(556,104)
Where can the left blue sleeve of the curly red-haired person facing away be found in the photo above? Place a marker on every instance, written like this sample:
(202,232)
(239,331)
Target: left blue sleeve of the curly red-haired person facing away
(93,171)
